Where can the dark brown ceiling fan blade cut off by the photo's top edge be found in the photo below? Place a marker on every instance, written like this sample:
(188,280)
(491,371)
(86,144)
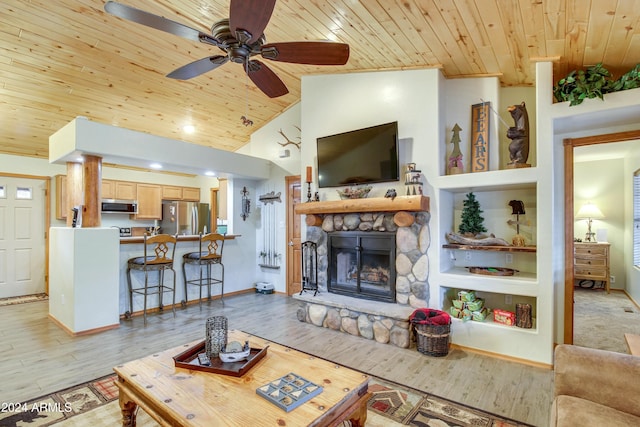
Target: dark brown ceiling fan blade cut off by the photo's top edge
(251,16)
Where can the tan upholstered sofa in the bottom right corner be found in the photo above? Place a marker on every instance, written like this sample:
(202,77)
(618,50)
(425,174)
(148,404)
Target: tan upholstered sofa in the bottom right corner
(595,388)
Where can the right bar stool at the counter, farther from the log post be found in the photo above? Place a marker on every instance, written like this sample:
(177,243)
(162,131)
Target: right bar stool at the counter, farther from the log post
(210,254)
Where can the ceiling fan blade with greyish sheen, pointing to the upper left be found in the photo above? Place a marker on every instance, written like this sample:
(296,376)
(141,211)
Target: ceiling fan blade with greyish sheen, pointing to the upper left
(158,22)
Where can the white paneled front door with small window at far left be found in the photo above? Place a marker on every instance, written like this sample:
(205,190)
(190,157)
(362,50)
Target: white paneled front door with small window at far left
(22,242)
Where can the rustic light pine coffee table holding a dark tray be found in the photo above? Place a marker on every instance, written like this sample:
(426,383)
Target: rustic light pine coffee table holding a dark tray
(184,397)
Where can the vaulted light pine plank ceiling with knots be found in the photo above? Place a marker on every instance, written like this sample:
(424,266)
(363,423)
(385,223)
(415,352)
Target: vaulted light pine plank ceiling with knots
(60,59)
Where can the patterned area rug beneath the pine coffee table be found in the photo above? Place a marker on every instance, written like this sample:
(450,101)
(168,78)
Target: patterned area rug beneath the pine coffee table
(95,404)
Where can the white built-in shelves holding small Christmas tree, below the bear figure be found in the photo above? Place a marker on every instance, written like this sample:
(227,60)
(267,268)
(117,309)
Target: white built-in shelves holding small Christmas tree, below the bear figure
(493,190)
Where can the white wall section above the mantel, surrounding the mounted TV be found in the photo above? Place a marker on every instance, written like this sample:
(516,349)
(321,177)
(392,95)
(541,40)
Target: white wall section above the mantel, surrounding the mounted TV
(344,102)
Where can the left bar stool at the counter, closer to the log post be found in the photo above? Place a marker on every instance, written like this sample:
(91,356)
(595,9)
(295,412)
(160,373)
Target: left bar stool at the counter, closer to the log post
(158,256)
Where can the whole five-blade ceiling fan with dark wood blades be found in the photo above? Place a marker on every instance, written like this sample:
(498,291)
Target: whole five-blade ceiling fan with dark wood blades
(240,38)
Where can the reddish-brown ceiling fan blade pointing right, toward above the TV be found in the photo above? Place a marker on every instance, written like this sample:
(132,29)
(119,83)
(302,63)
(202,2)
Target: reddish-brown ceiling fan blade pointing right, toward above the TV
(307,52)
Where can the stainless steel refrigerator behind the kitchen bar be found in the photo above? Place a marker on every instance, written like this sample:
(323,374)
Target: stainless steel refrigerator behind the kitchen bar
(184,218)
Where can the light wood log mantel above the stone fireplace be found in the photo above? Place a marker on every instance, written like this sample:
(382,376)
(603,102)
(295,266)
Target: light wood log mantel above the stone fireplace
(373,204)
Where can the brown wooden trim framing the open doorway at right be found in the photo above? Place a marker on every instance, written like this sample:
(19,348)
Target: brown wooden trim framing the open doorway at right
(569,145)
